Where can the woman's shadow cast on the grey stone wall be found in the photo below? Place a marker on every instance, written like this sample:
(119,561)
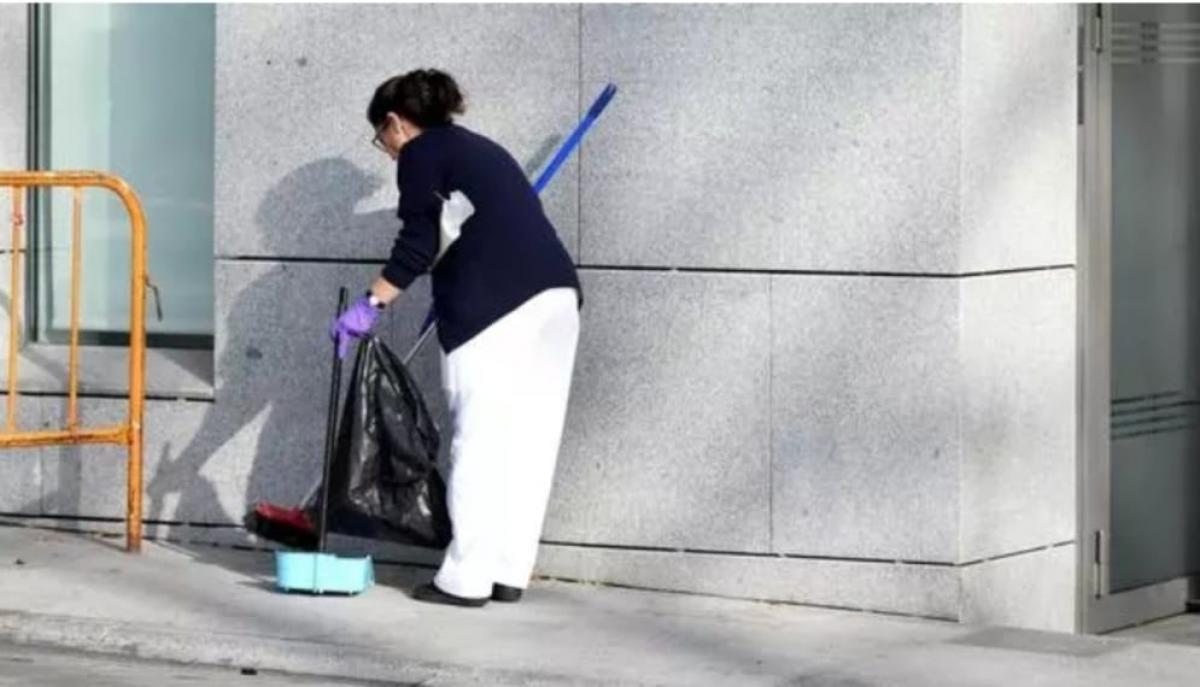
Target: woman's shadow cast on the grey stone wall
(263,372)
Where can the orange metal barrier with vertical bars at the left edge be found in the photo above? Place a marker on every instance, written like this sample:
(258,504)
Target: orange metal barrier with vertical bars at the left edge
(130,433)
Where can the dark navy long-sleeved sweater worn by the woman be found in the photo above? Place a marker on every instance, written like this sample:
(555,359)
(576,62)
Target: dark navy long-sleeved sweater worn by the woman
(508,250)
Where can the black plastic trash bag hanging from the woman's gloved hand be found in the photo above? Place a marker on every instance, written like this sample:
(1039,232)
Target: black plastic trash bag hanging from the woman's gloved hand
(385,481)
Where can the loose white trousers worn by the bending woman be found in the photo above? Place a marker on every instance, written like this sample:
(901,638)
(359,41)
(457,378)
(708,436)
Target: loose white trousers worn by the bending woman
(507,390)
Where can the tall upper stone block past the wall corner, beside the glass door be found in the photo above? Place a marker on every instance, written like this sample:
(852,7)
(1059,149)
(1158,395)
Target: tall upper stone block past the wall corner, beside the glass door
(1019,136)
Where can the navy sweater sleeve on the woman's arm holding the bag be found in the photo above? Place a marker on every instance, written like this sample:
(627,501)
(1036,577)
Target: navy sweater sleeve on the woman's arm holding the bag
(421,174)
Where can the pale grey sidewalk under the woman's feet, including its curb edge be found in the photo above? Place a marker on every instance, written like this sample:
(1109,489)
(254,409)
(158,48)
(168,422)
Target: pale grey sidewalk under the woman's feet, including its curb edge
(218,607)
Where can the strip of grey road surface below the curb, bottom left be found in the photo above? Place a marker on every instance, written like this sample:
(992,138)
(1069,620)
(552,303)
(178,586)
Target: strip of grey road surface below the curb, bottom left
(38,667)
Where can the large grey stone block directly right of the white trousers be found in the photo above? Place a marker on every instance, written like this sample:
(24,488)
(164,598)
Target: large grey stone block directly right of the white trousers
(667,440)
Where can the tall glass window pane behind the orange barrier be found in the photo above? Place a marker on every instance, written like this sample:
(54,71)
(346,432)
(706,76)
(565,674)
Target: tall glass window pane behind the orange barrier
(129,89)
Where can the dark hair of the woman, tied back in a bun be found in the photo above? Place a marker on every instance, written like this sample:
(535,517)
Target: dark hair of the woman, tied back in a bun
(427,98)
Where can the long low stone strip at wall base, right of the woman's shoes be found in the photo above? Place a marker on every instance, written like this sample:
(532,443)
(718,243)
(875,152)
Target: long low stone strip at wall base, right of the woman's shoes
(890,588)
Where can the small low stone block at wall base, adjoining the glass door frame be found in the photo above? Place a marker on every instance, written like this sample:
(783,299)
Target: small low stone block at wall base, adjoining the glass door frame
(1035,592)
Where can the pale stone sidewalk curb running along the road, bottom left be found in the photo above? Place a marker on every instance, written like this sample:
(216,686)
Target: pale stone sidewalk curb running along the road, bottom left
(315,659)
